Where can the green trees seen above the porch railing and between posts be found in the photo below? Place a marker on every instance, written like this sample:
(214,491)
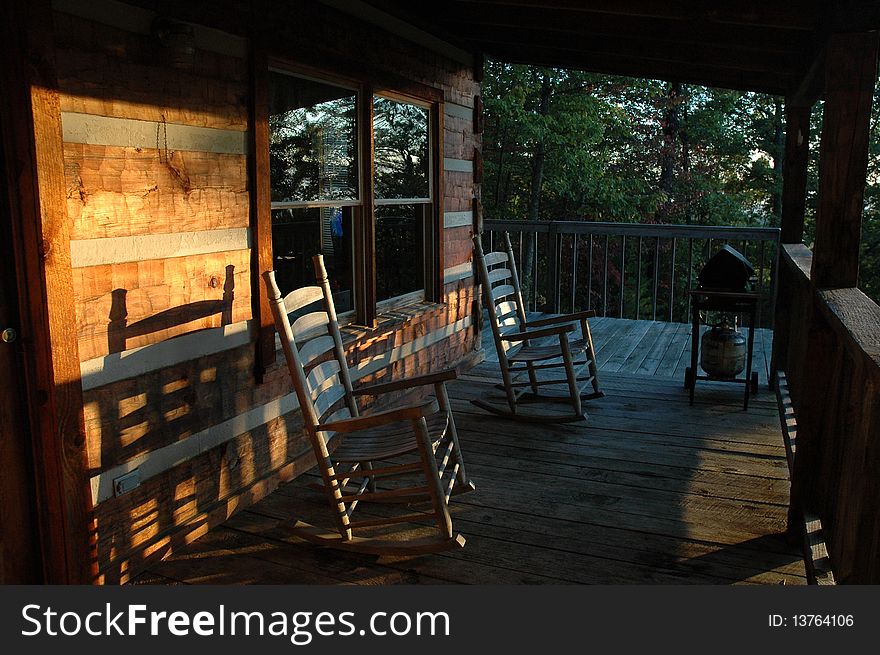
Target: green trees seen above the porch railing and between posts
(636,150)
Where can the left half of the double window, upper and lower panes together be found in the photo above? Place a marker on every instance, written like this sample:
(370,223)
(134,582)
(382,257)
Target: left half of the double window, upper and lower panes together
(313,172)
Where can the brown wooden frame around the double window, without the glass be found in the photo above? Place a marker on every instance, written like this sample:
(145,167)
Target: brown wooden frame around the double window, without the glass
(367,83)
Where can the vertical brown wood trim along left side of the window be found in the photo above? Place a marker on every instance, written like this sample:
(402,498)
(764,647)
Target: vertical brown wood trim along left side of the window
(261,209)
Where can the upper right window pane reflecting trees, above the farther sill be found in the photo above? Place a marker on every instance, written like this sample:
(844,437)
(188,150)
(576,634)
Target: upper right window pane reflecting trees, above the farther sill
(400,133)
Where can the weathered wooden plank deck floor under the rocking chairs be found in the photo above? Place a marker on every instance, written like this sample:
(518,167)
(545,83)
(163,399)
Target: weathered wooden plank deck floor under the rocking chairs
(649,490)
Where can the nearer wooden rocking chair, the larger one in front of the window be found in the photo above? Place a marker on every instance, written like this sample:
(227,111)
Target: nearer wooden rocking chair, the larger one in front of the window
(353,451)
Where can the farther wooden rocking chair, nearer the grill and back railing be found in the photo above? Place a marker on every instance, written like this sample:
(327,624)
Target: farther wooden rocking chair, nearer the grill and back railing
(525,346)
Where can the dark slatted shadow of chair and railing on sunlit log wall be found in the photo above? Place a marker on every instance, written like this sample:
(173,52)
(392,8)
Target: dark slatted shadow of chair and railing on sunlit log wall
(161,414)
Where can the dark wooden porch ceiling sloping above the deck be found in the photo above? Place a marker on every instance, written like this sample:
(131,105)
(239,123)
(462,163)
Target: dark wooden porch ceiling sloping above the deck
(741,44)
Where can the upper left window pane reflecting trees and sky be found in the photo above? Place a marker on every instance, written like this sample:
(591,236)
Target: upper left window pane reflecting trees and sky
(312,140)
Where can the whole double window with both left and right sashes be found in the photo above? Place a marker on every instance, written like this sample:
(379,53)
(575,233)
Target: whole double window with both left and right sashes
(378,245)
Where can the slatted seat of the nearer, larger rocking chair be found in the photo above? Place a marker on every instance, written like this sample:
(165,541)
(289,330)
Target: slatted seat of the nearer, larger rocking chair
(387,441)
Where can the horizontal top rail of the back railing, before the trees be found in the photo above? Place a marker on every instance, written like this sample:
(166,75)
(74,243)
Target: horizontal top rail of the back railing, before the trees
(638,229)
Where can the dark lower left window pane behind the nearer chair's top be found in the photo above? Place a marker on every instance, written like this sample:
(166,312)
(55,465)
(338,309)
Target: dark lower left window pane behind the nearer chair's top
(298,234)
